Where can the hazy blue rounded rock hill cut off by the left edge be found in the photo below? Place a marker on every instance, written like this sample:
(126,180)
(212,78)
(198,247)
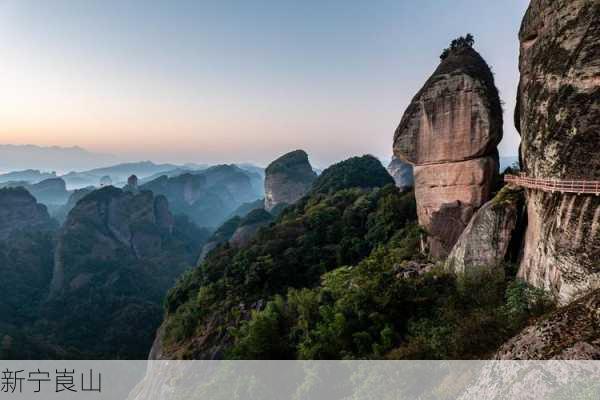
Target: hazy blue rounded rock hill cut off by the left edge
(19,210)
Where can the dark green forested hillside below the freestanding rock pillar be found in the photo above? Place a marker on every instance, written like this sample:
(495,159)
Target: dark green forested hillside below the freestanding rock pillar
(340,275)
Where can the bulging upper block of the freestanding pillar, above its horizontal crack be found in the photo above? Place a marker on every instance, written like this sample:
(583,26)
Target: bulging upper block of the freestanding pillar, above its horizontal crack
(456,116)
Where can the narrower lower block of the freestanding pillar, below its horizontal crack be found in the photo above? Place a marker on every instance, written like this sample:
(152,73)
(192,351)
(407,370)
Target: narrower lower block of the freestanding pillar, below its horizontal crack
(448,195)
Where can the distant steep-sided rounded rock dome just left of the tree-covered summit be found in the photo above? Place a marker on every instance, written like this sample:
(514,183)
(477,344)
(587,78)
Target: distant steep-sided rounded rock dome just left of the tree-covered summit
(288,179)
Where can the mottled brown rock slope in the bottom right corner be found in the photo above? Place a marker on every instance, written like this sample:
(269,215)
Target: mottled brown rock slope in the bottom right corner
(570,333)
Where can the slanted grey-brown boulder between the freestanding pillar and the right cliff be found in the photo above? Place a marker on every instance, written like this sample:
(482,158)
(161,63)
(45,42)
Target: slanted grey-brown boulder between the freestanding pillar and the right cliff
(484,244)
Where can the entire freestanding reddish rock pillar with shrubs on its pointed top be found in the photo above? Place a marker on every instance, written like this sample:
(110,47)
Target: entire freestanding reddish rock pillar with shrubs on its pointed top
(450,132)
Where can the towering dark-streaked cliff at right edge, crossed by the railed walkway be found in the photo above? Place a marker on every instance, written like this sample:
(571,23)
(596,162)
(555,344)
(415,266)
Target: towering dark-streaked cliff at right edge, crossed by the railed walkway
(558,117)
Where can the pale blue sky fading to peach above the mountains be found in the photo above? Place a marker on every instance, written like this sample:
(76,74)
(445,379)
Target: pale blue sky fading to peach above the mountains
(233,81)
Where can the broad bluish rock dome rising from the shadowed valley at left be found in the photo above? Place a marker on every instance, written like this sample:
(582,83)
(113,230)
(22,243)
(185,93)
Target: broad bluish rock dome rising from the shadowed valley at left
(104,228)
